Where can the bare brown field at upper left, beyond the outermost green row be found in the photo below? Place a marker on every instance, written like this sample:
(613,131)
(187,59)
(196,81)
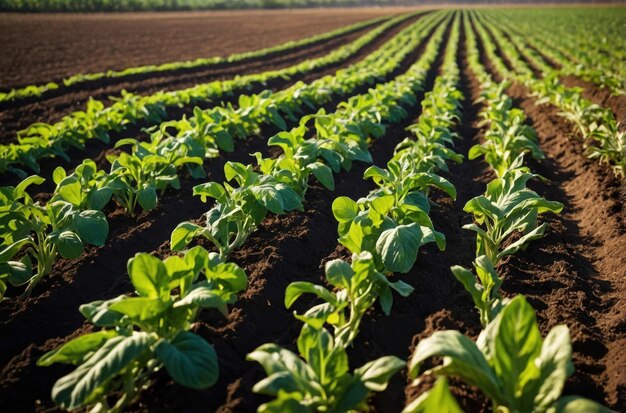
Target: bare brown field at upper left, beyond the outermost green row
(37,48)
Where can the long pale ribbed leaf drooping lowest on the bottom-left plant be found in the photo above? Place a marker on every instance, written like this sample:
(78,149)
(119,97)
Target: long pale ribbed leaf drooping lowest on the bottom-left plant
(75,389)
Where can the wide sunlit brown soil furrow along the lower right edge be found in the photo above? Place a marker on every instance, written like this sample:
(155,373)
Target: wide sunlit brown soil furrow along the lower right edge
(574,275)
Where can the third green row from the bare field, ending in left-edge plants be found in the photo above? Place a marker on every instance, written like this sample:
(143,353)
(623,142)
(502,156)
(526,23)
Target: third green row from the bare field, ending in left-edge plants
(73,217)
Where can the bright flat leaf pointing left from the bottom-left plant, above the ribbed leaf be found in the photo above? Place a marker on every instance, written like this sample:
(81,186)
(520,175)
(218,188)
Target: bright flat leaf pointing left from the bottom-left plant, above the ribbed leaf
(76,350)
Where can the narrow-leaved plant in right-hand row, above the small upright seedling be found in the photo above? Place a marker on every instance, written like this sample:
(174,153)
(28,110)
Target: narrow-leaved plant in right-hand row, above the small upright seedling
(506,208)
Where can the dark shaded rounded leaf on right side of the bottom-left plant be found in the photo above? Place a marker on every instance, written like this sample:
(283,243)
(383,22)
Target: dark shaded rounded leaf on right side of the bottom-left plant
(189,360)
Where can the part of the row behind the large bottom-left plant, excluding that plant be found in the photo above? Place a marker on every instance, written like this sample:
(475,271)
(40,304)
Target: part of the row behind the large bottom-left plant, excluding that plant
(281,184)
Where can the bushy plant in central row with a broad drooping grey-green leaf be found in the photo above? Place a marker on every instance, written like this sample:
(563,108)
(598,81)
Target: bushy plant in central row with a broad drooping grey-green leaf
(392,222)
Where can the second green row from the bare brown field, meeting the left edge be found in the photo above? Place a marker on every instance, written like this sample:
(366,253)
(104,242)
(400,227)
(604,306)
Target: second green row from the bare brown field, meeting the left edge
(41,140)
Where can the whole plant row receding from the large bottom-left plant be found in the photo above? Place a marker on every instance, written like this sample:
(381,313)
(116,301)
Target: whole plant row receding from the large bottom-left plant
(143,334)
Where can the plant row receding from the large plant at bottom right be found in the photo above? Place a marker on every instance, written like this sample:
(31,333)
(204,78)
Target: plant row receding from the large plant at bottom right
(510,363)
